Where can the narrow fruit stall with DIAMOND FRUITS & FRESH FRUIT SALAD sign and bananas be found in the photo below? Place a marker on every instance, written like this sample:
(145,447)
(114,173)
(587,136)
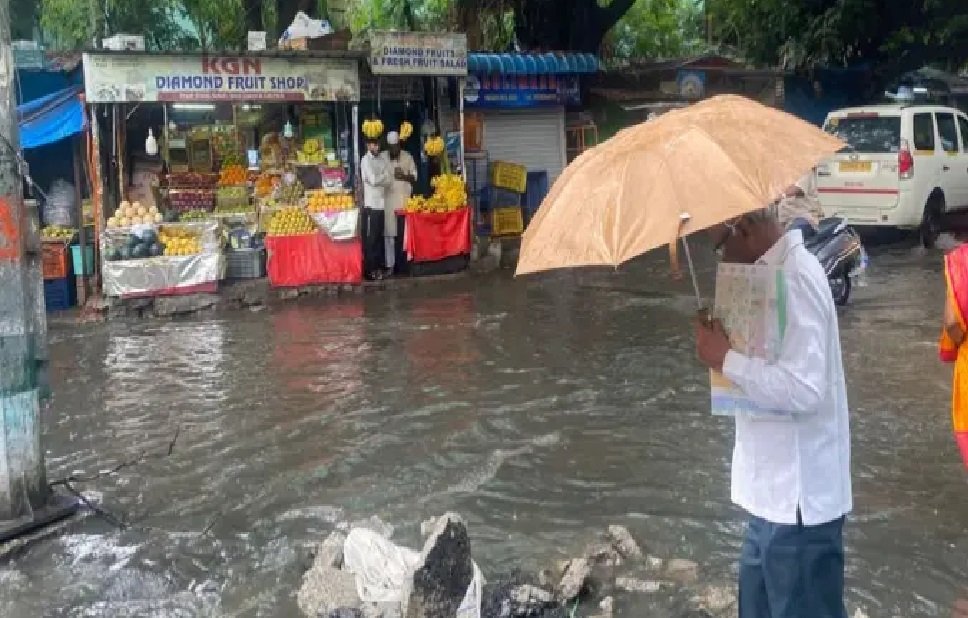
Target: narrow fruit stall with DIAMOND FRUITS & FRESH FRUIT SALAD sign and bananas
(405,84)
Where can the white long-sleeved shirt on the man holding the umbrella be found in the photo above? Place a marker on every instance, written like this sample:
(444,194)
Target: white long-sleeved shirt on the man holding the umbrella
(799,458)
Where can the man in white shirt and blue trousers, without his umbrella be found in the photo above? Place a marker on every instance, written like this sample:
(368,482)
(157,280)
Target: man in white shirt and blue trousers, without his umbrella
(791,471)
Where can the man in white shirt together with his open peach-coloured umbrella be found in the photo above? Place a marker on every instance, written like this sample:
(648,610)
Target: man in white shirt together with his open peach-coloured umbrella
(711,167)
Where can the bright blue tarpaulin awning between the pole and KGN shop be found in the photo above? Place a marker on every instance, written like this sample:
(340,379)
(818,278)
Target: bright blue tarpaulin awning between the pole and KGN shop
(51,118)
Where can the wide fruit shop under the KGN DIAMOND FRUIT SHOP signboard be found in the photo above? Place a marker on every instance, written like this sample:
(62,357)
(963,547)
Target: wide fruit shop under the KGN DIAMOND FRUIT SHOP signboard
(206,168)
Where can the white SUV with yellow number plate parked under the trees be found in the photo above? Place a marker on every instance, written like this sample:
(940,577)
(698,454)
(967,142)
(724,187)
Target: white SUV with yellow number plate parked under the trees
(906,166)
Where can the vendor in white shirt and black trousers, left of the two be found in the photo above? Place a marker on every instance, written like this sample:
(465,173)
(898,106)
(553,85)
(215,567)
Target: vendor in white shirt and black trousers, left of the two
(376,175)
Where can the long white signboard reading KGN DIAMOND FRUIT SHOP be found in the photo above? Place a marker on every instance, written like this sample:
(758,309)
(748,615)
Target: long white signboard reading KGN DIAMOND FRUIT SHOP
(133,78)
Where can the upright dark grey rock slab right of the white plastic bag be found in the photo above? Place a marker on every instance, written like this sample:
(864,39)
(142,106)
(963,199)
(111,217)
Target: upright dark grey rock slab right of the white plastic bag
(444,572)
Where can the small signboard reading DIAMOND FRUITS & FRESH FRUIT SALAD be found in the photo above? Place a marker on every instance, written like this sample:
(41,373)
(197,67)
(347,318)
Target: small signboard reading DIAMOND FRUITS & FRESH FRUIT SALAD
(418,53)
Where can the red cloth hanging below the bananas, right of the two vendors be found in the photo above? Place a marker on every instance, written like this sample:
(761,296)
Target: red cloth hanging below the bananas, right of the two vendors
(429,237)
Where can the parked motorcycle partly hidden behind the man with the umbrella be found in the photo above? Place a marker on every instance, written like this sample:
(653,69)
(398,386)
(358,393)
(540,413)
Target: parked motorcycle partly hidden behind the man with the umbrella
(839,249)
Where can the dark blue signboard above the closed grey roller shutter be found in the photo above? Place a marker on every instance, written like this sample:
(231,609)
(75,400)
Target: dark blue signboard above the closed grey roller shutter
(521,91)
